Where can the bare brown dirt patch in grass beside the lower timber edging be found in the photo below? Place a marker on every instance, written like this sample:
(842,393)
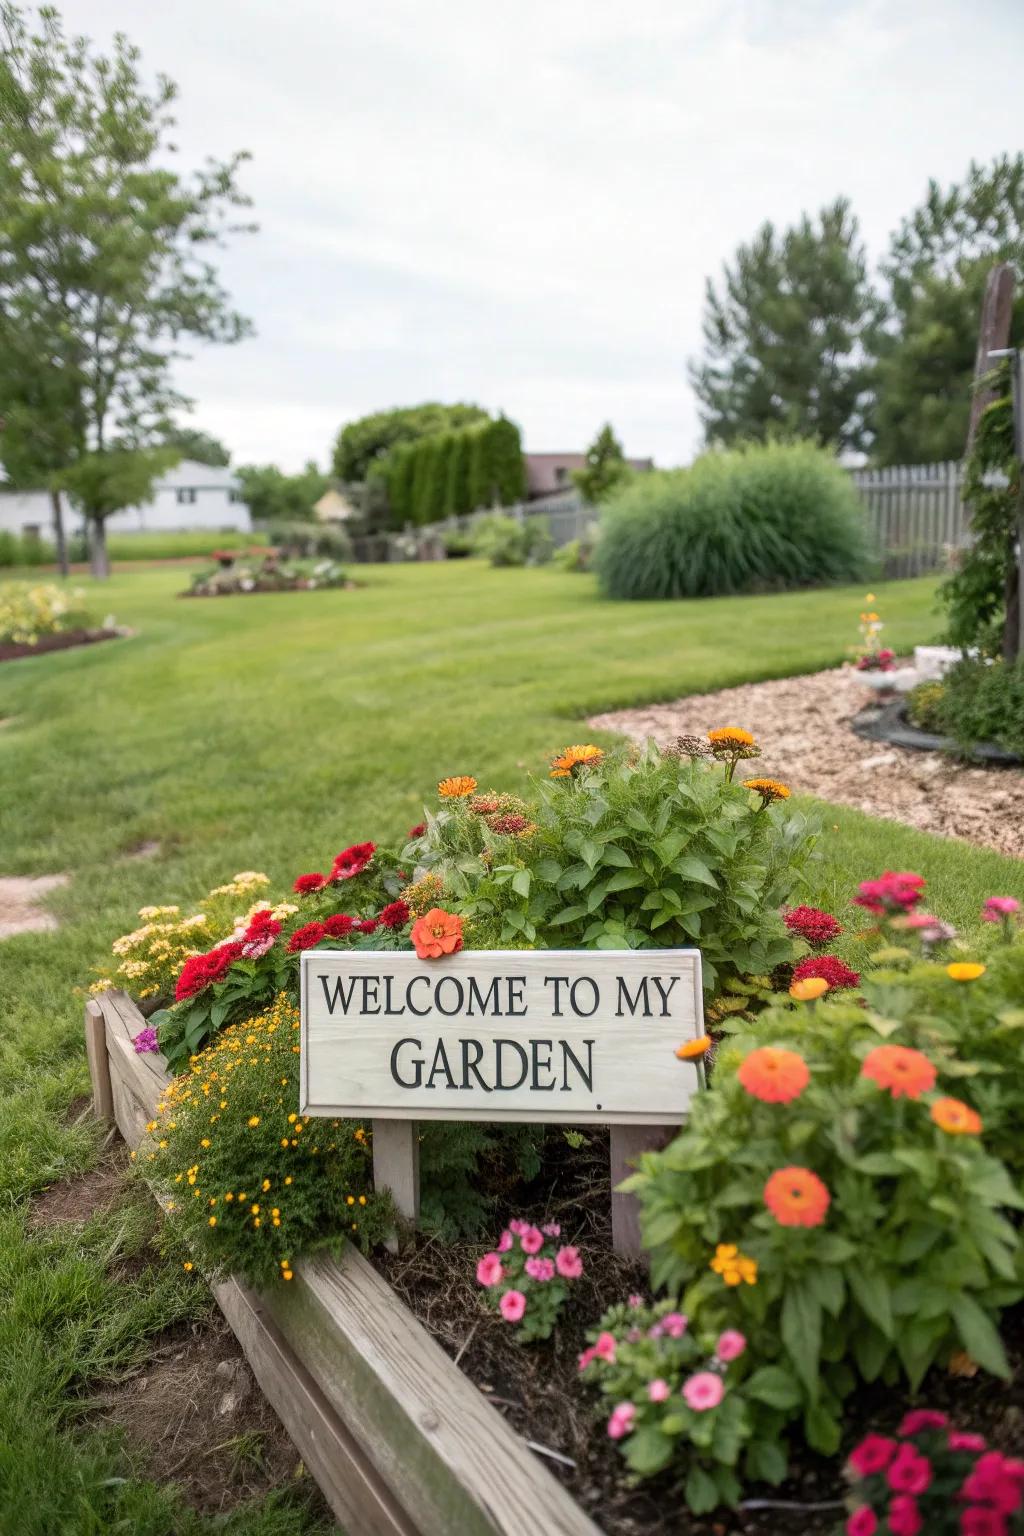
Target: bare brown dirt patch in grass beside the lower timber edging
(202,1423)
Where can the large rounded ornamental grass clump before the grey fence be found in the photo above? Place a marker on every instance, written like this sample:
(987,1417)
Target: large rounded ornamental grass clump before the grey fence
(753,520)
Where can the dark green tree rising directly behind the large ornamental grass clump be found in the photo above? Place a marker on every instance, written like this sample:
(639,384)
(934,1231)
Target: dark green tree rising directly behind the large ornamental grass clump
(784,337)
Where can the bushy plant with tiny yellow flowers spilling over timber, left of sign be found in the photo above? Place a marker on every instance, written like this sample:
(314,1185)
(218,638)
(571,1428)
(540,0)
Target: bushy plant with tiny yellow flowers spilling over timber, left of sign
(253,1185)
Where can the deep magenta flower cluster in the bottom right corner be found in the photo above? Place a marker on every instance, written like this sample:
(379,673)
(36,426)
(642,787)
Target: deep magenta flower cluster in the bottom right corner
(896,1478)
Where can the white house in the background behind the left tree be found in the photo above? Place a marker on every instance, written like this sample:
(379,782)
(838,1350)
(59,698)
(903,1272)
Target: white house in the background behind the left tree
(188,497)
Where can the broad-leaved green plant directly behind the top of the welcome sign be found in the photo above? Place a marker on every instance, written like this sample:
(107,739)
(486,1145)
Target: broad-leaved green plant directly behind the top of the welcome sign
(656,853)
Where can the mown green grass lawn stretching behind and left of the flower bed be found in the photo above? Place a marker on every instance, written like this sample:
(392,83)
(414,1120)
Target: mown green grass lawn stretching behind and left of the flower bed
(268,733)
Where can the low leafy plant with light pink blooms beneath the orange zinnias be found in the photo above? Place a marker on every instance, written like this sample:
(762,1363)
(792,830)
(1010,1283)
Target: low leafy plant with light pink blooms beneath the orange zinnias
(705,1448)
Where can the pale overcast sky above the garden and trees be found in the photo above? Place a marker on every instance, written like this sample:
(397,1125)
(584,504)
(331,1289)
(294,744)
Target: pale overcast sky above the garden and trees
(518,204)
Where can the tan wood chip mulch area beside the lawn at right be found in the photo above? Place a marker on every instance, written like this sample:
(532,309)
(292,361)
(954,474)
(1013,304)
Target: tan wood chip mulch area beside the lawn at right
(804,729)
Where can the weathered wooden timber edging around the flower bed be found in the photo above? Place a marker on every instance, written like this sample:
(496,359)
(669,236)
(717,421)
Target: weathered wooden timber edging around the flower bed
(400,1442)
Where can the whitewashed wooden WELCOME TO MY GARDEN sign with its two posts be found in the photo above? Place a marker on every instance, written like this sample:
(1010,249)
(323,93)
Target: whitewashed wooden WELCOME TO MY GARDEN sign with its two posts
(553,1036)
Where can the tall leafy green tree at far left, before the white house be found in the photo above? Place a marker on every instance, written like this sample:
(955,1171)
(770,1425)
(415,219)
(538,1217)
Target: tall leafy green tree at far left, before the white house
(104,259)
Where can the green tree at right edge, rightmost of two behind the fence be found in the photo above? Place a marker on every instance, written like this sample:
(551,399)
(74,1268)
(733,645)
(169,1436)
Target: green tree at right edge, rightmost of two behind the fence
(937,273)
